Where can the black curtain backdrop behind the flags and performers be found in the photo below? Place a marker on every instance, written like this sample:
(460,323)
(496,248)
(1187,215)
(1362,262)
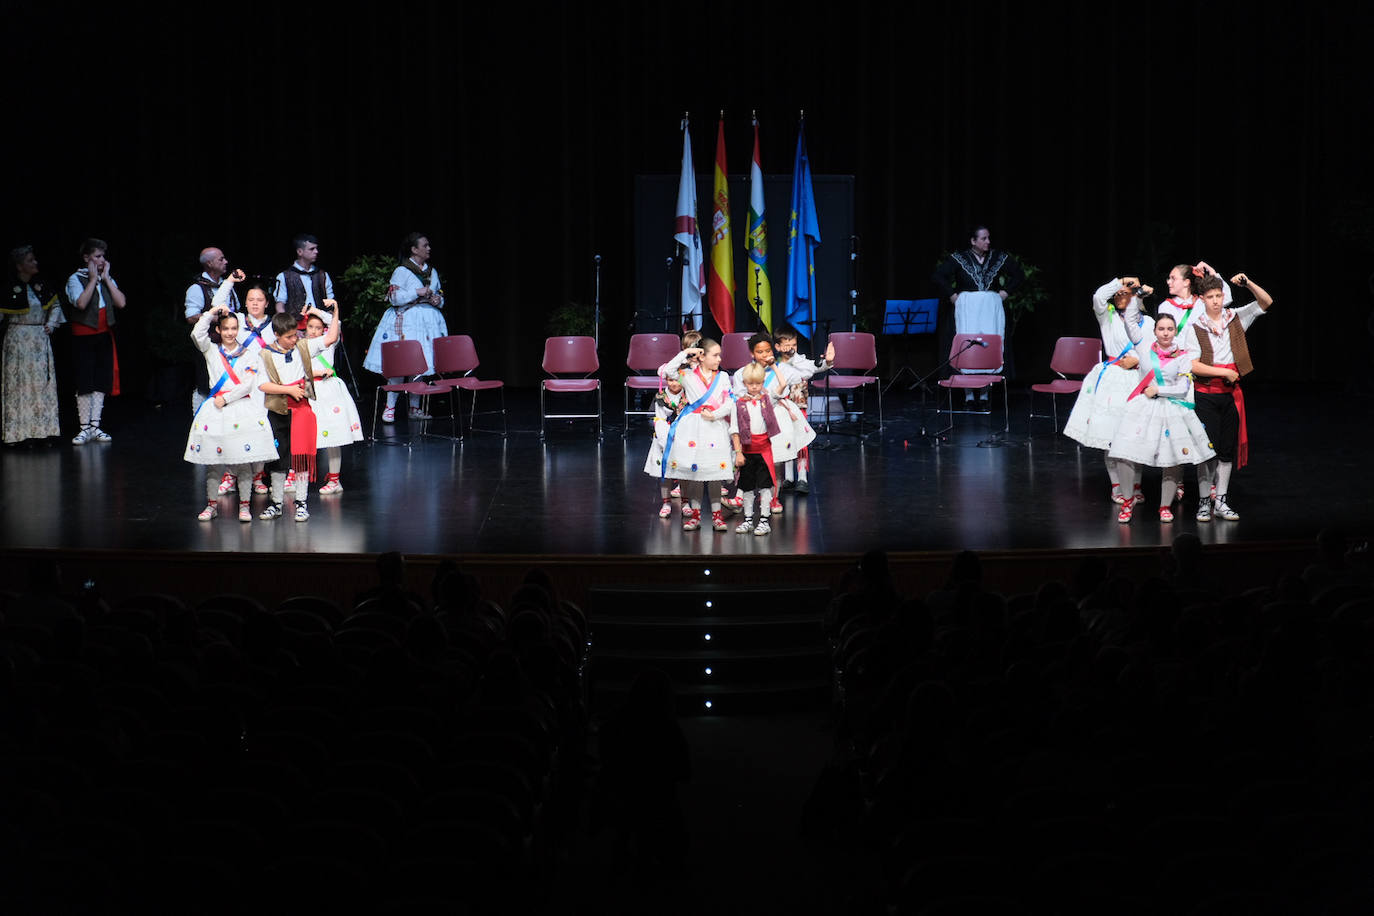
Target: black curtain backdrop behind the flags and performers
(1094,139)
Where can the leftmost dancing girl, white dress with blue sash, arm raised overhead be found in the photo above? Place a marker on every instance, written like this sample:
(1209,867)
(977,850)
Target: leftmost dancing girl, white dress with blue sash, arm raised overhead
(230,428)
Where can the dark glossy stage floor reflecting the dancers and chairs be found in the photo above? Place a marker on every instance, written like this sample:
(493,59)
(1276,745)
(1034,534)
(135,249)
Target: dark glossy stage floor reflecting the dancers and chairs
(572,495)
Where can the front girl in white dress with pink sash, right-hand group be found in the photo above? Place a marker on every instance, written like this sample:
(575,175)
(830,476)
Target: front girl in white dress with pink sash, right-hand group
(1160,426)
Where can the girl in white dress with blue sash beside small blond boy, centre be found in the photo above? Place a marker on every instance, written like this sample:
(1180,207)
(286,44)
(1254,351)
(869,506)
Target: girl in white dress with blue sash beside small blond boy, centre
(699,442)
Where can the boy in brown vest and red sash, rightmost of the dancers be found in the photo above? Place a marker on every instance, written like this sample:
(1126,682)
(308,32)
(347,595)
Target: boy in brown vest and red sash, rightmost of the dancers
(1222,358)
